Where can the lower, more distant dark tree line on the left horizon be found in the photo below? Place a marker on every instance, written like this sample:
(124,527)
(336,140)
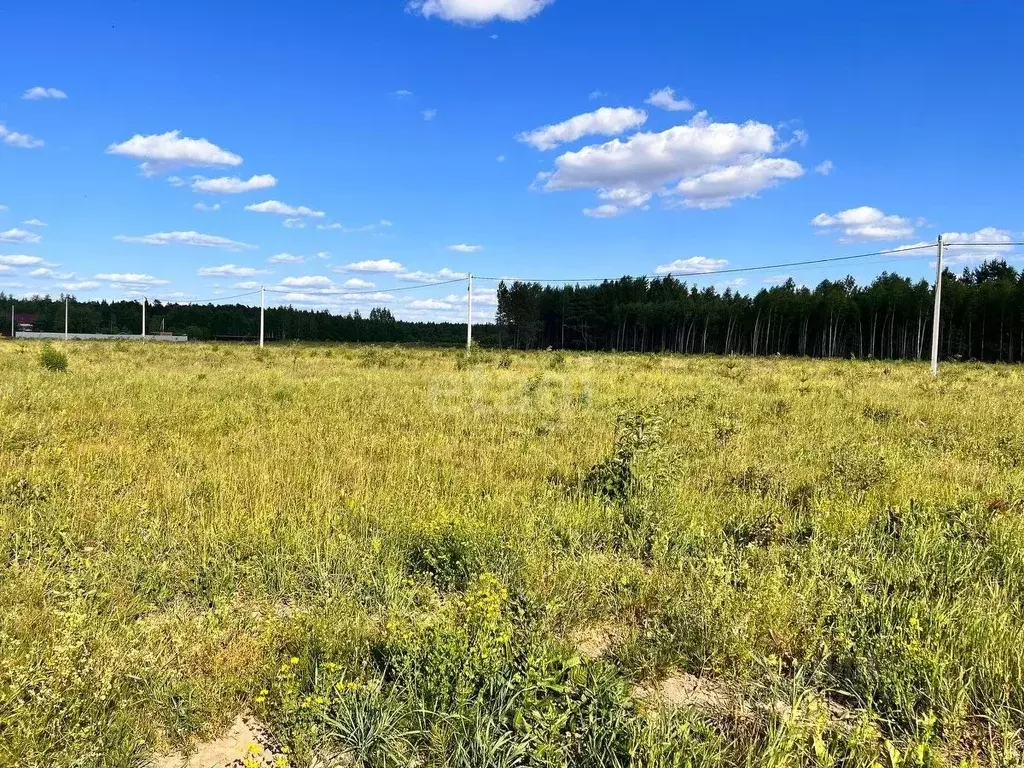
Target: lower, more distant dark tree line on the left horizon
(236,322)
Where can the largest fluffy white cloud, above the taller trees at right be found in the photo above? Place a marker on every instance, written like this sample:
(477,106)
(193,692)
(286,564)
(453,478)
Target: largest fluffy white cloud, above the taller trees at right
(708,165)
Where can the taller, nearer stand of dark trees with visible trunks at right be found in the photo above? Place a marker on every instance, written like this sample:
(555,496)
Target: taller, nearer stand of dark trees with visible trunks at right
(983,317)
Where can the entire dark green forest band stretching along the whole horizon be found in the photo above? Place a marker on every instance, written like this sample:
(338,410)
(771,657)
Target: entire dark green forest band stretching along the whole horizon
(983,319)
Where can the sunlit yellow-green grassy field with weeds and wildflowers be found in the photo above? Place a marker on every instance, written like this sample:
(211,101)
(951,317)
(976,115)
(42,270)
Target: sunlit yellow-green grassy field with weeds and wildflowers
(403,557)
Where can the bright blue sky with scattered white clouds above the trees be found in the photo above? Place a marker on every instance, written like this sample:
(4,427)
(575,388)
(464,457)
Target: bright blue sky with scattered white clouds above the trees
(395,133)
